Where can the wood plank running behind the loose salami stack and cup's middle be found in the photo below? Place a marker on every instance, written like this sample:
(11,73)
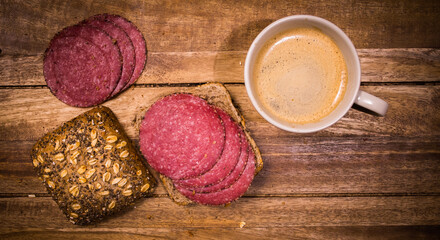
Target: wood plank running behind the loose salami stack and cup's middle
(378,65)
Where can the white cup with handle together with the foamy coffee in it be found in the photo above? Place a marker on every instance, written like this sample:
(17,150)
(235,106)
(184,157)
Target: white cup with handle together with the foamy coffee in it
(303,74)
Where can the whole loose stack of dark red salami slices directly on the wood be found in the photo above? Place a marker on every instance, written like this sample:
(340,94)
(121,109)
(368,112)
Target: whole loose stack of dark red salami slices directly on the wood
(92,61)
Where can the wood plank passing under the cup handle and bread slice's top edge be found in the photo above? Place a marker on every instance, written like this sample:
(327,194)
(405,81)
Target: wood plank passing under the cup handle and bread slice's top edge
(26,114)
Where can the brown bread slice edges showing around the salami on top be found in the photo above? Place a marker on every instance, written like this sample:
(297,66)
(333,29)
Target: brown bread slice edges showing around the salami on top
(215,94)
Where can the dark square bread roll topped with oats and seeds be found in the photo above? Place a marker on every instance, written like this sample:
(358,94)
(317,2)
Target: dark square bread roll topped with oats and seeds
(90,167)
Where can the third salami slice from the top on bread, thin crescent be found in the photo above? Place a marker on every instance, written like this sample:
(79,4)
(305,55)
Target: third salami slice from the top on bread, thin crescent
(232,177)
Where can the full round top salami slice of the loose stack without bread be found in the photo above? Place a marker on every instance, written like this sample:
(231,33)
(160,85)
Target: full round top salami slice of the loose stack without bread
(86,82)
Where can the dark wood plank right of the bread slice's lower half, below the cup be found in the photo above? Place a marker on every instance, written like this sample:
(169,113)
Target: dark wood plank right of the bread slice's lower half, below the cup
(295,166)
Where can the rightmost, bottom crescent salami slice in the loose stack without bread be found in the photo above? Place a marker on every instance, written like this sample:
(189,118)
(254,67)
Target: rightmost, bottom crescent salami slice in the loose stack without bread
(140,47)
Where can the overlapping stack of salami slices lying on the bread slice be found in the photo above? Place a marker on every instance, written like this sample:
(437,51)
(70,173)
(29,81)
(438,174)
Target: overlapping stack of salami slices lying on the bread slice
(200,147)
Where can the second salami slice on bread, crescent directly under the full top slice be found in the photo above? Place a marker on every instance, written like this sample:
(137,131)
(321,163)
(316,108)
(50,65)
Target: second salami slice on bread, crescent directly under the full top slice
(228,159)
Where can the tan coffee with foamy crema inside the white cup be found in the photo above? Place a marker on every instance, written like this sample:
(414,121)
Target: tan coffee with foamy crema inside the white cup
(300,75)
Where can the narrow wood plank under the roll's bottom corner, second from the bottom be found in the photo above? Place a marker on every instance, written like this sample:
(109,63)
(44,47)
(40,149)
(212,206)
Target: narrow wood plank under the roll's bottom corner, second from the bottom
(42,213)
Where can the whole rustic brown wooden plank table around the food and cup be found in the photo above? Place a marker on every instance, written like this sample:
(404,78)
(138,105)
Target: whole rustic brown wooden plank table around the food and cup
(364,177)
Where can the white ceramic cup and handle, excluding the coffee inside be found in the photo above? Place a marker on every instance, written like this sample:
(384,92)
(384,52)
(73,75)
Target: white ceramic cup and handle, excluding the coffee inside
(352,93)
